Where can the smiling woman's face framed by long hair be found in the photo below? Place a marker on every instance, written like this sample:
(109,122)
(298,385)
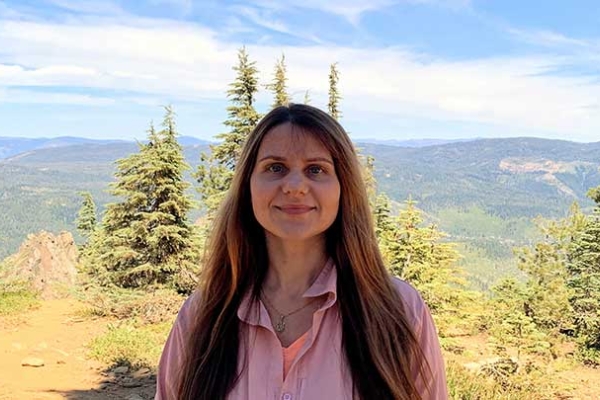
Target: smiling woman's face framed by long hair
(294,188)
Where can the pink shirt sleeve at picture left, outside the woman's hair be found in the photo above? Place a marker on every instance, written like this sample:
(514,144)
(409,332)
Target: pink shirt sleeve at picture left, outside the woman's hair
(172,355)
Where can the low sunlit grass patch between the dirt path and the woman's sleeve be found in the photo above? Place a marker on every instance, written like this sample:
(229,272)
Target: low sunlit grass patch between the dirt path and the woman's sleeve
(127,344)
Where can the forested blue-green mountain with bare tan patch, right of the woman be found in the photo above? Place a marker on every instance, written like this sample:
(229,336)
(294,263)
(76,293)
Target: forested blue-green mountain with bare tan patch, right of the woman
(516,177)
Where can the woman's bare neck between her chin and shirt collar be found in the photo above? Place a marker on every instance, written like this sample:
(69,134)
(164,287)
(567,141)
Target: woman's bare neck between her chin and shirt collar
(293,267)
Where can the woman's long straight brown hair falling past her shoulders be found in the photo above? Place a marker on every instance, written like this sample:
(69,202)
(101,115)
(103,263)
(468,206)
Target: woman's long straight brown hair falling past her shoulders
(379,344)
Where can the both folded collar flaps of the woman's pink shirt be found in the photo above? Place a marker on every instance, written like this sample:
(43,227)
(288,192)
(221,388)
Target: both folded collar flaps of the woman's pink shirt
(326,283)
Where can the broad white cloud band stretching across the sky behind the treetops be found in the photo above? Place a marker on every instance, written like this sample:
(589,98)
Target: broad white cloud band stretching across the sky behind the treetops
(161,61)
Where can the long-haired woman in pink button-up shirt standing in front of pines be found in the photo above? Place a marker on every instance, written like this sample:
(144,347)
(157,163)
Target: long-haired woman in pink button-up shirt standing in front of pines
(295,301)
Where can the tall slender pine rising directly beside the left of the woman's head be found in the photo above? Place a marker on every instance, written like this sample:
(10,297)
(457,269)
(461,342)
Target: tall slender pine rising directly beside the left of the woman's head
(216,171)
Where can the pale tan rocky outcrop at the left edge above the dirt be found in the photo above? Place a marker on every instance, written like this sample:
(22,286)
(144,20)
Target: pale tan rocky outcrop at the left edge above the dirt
(46,261)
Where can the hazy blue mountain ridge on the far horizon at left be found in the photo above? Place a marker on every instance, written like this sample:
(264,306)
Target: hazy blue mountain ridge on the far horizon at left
(10,146)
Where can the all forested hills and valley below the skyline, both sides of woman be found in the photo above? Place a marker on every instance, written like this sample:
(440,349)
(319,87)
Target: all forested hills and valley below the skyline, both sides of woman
(482,192)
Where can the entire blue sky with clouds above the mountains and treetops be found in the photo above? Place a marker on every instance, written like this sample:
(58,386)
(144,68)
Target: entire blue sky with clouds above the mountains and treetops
(409,69)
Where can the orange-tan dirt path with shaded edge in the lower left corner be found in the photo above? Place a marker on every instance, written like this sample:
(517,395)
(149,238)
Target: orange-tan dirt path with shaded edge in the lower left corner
(54,334)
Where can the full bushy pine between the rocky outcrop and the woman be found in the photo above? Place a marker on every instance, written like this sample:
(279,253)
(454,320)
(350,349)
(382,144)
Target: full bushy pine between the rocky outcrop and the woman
(146,238)
